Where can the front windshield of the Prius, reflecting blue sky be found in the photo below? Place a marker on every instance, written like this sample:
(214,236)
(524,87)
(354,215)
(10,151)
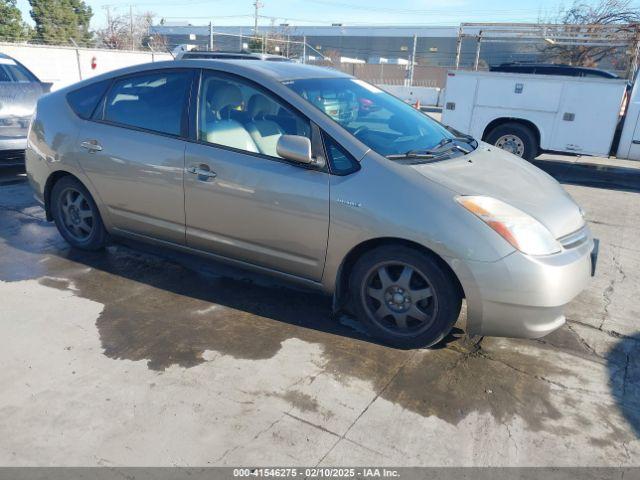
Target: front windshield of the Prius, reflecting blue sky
(381,121)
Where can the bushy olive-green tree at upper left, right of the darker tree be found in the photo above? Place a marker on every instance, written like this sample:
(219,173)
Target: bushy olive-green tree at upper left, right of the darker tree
(60,21)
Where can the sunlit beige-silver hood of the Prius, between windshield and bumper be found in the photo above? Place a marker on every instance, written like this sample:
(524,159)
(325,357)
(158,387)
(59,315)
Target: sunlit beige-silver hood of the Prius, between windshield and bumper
(493,172)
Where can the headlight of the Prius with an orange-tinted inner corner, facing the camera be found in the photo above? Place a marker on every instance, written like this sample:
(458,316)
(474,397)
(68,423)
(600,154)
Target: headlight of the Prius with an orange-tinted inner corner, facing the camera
(518,228)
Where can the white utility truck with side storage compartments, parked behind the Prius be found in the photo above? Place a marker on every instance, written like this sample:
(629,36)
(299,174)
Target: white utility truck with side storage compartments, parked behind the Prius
(528,114)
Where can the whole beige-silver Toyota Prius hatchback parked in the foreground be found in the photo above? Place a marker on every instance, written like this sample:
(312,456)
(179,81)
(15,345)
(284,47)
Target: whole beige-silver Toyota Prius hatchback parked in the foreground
(320,178)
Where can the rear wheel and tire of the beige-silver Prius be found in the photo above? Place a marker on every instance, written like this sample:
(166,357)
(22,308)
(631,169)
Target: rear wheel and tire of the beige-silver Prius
(76,215)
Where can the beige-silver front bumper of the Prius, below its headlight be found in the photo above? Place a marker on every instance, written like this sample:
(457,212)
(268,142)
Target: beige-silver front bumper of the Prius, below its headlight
(522,296)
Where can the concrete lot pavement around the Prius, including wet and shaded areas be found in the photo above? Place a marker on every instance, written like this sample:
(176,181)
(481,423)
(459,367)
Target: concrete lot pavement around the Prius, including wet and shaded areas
(136,356)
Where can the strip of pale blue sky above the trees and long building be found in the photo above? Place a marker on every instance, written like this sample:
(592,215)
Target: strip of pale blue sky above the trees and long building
(325,12)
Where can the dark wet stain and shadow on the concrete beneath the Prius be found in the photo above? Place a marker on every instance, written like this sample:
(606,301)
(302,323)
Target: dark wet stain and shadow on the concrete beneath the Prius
(162,312)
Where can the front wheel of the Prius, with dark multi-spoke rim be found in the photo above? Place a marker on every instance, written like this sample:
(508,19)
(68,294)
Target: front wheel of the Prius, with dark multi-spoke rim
(404,308)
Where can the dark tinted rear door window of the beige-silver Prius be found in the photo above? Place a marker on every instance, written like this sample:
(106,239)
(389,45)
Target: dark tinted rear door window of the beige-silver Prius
(155,101)
